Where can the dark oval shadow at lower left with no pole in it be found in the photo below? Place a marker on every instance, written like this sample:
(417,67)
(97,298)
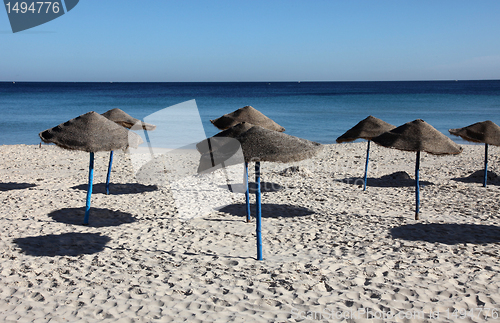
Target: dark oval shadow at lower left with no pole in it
(66,244)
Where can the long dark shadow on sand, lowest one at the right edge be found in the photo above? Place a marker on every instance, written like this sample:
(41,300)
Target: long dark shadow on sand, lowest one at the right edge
(448,233)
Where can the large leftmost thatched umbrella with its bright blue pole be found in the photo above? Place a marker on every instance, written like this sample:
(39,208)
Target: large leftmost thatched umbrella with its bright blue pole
(90,132)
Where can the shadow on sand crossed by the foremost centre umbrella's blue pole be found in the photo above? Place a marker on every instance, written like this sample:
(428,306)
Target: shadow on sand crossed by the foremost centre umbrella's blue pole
(268,210)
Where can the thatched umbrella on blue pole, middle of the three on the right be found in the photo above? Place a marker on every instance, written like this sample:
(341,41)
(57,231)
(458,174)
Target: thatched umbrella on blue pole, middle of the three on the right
(418,136)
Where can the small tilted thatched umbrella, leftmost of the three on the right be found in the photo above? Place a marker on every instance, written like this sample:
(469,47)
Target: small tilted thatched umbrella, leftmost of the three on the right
(368,129)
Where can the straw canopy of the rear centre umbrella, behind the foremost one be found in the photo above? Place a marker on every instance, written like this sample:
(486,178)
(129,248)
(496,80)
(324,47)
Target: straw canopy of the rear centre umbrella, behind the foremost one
(246,114)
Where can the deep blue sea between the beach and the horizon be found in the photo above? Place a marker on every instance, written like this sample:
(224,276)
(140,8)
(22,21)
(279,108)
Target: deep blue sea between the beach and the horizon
(318,111)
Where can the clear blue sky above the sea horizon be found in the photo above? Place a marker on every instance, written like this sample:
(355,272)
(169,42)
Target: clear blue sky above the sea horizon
(272,40)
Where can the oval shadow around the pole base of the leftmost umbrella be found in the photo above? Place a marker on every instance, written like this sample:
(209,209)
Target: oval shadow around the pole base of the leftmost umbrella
(101,217)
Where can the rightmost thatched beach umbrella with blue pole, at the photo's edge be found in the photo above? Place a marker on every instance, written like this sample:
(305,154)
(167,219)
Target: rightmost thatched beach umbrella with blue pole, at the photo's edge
(486,132)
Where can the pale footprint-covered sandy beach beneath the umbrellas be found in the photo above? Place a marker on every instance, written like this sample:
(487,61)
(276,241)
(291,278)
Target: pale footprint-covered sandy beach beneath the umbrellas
(328,246)
